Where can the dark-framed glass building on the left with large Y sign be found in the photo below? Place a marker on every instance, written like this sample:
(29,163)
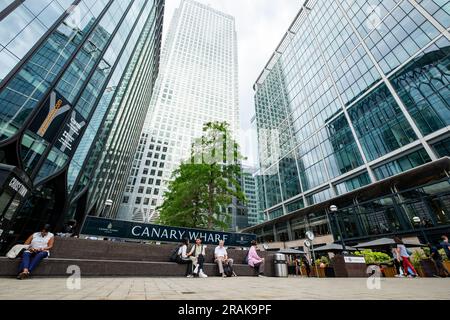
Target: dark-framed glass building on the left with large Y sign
(76,82)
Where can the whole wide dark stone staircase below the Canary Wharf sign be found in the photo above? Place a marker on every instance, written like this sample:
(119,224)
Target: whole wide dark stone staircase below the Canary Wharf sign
(99,258)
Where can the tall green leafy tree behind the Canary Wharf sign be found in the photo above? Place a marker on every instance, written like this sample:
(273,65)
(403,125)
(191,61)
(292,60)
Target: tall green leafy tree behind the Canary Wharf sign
(203,187)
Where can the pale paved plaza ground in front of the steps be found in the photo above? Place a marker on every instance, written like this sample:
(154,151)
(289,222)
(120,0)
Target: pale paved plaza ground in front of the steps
(240,288)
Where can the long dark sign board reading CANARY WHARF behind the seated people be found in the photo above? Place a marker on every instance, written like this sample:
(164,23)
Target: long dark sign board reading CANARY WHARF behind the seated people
(101,227)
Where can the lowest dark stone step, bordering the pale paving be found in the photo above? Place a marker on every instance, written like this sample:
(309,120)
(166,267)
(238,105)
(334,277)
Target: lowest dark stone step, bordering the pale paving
(57,267)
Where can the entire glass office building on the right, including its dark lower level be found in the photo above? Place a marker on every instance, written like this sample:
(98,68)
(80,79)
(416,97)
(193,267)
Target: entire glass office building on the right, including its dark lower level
(353,110)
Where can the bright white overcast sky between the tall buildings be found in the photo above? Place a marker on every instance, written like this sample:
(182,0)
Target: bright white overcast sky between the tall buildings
(260,26)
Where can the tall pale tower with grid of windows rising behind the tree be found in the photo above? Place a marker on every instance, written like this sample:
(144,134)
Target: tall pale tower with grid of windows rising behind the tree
(197,84)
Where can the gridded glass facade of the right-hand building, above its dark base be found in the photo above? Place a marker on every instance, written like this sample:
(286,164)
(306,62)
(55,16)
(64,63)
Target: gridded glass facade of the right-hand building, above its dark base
(356,92)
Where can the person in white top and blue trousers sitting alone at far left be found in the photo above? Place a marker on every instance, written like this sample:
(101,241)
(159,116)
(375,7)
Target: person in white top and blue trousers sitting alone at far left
(40,244)
